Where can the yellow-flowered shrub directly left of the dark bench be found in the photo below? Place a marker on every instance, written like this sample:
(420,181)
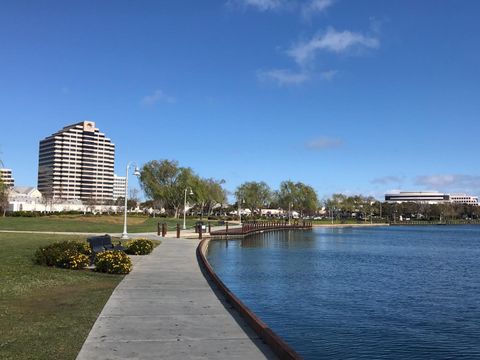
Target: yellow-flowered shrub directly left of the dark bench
(65,254)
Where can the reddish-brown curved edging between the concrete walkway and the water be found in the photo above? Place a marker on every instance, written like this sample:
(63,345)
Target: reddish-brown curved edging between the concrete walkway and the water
(277,344)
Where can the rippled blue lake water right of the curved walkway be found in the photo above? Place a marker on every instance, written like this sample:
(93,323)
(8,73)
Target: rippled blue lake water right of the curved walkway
(362,293)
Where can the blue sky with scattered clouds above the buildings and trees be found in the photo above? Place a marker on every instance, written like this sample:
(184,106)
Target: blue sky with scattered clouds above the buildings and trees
(347,96)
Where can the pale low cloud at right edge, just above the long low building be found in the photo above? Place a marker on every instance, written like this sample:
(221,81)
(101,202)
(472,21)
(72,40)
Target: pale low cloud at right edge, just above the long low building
(457,182)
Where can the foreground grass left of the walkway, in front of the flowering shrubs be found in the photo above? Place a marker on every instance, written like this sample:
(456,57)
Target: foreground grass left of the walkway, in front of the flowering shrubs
(46,313)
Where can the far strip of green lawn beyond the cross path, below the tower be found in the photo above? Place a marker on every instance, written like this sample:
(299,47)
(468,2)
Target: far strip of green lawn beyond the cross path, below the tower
(80,223)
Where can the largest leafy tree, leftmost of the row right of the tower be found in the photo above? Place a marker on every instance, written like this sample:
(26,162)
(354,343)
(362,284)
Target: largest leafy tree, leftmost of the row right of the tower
(166,181)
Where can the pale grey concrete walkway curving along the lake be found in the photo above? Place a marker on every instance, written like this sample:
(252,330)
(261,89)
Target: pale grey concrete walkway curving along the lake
(166,309)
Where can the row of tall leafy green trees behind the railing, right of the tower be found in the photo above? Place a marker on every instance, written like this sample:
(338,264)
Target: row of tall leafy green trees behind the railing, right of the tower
(166,184)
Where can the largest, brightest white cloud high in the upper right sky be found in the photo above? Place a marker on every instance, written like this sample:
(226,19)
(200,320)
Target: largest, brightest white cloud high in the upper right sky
(332,41)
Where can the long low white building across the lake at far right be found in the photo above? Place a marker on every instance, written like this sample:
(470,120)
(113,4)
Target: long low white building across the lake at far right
(430,197)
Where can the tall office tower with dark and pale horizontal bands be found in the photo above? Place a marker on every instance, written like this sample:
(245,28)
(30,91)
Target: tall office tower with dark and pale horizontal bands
(77,163)
